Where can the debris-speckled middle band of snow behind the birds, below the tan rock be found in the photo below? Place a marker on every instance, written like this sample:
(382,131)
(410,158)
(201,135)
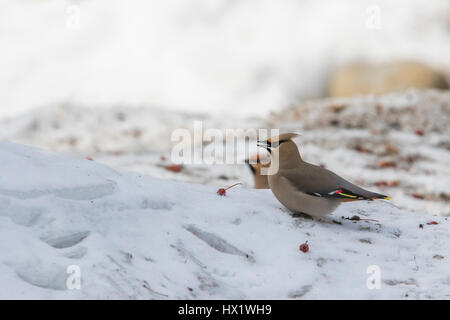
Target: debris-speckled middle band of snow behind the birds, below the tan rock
(139,139)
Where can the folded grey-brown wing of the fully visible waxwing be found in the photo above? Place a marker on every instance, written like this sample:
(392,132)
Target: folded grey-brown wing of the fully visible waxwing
(320,182)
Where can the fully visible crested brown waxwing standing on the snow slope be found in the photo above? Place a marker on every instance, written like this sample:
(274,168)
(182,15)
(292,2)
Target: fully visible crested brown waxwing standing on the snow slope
(306,188)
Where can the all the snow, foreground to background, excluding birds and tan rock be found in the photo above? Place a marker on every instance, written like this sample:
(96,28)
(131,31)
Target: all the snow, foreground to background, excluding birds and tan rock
(116,86)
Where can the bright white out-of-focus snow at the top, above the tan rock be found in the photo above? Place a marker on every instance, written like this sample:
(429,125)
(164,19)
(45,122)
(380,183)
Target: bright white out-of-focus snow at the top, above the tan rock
(245,56)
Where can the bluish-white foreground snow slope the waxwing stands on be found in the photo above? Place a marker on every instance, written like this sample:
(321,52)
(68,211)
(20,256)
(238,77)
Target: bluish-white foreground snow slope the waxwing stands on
(137,237)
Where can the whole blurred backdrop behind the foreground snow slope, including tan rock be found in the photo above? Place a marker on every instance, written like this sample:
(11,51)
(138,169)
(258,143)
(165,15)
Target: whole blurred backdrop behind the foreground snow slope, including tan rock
(366,82)
